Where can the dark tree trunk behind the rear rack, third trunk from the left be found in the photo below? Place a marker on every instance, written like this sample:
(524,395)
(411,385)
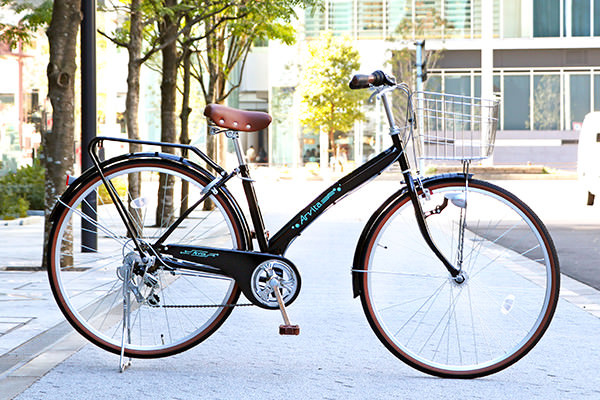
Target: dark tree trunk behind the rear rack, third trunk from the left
(168,93)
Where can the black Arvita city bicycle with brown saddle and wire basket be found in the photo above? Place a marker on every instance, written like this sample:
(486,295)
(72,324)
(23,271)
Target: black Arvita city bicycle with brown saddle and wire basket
(457,277)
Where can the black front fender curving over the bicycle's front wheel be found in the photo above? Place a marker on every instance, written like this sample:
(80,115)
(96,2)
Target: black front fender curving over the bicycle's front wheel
(364,239)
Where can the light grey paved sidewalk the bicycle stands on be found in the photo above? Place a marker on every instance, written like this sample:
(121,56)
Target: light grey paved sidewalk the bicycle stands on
(337,356)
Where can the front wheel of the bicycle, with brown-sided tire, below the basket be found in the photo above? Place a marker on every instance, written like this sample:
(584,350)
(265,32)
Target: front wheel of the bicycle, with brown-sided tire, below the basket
(438,324)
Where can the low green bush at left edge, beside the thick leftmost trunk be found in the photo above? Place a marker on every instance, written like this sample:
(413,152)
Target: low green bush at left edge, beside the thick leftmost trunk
(21,191)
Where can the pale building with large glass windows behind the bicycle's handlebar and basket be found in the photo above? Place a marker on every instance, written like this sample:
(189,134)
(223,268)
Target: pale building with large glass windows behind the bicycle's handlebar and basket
(546,60)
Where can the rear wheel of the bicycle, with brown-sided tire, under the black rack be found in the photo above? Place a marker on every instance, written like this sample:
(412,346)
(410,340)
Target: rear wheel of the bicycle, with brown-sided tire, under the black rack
(88,289)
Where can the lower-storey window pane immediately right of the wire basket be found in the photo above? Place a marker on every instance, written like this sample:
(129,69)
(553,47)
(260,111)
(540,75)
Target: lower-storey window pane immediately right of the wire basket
(516,102)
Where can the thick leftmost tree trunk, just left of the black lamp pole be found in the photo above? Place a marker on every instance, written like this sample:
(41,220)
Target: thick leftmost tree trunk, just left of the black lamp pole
(57,144)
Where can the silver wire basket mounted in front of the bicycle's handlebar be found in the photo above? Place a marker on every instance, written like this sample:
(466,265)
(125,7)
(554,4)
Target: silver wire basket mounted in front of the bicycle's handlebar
(452,127)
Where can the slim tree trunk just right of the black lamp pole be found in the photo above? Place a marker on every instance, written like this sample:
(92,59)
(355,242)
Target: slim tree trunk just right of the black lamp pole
(132,101)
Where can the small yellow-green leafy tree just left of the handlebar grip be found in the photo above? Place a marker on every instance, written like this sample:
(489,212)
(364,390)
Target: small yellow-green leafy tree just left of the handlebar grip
(328,103)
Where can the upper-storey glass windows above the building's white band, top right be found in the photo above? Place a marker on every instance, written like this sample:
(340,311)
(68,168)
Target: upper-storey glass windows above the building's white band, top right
(379,19)
